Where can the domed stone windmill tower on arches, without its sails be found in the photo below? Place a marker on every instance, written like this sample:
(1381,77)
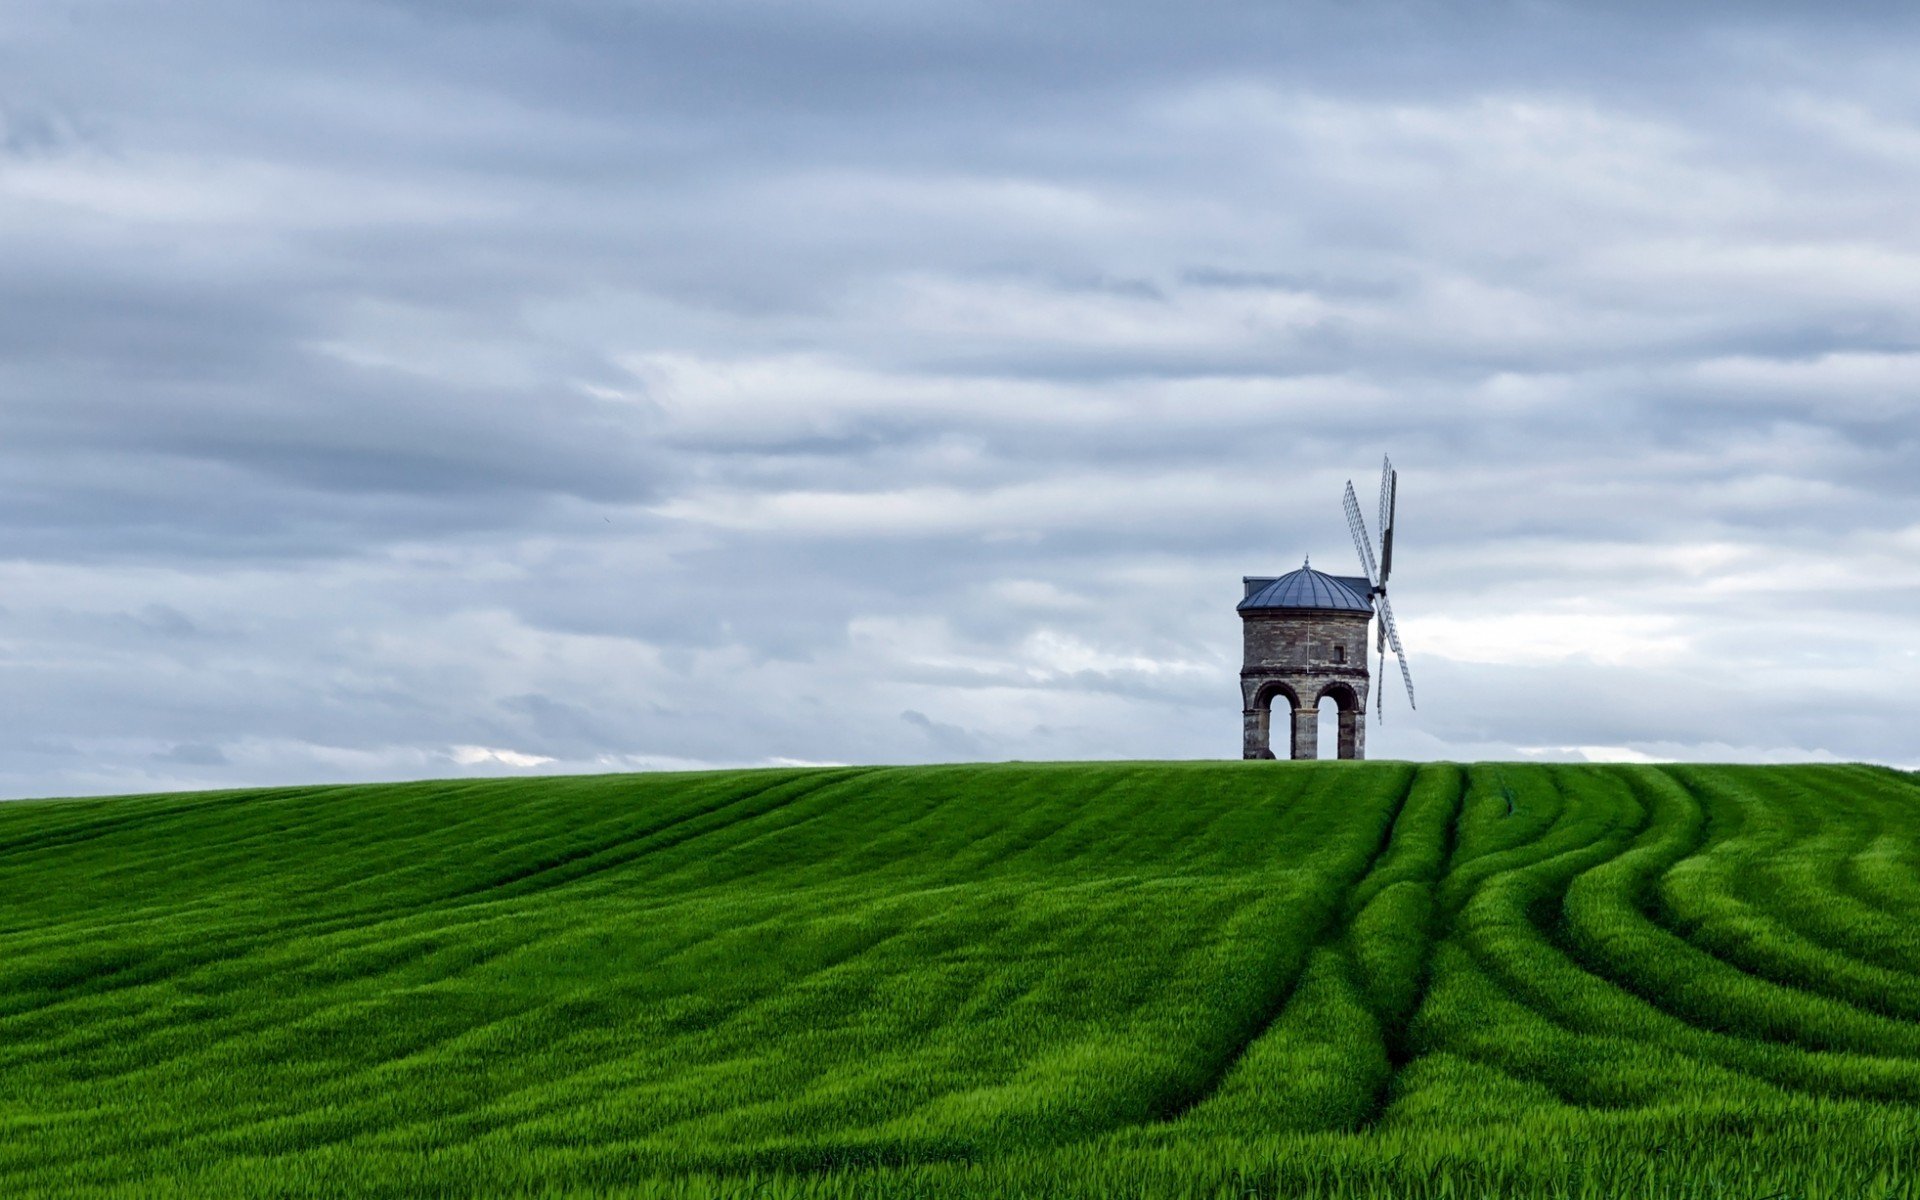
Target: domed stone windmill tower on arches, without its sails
(1307,640)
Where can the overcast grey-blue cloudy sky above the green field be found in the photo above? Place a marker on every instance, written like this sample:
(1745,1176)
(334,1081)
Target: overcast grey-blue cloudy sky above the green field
(439,389)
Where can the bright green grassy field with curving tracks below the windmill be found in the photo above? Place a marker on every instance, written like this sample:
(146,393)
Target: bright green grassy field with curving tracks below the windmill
(1070,980)
